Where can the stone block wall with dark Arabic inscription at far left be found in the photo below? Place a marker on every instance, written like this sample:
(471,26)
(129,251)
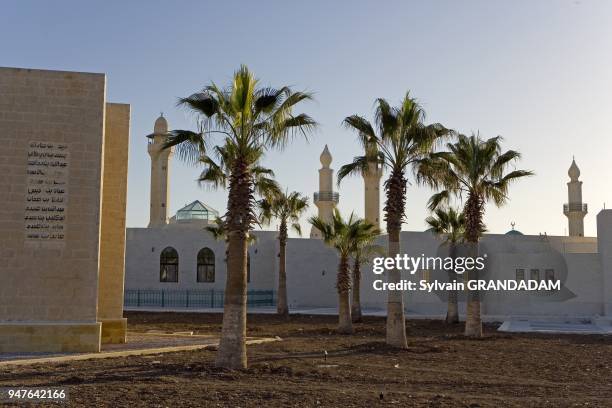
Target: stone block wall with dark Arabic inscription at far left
(51,133)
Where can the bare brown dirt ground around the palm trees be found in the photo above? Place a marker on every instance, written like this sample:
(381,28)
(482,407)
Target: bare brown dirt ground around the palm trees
(441,368)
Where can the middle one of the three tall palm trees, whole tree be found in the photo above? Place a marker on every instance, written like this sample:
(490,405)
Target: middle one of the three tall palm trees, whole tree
(401,141)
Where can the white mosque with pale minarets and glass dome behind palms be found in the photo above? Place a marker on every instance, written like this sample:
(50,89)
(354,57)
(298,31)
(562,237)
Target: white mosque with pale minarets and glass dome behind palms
(176,257)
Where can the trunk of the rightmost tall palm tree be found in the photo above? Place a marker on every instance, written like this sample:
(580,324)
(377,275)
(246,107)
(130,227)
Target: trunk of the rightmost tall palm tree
(474,208)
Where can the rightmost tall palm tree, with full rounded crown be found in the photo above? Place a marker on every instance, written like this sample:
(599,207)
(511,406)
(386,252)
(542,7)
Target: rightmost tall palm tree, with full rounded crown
(477,168)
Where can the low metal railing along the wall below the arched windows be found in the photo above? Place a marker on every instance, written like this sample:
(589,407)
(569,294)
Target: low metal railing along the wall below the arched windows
(191,298)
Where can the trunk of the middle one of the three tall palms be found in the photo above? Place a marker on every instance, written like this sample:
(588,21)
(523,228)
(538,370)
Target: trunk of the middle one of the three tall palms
(395,187)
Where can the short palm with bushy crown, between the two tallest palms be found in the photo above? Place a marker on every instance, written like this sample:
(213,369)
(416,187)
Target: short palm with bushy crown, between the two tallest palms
(344,236)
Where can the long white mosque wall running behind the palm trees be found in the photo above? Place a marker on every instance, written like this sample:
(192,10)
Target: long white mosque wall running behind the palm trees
(311,270)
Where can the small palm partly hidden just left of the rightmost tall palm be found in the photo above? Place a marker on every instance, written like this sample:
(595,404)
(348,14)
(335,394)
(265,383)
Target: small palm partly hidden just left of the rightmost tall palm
(450,225)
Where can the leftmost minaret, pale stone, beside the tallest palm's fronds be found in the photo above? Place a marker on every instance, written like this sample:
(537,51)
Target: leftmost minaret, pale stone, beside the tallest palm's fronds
(160,171)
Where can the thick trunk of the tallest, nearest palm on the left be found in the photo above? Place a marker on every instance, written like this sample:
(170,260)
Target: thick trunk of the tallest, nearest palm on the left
(232,346)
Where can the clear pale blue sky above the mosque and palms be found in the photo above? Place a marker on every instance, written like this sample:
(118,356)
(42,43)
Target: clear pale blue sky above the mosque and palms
(537,73)
